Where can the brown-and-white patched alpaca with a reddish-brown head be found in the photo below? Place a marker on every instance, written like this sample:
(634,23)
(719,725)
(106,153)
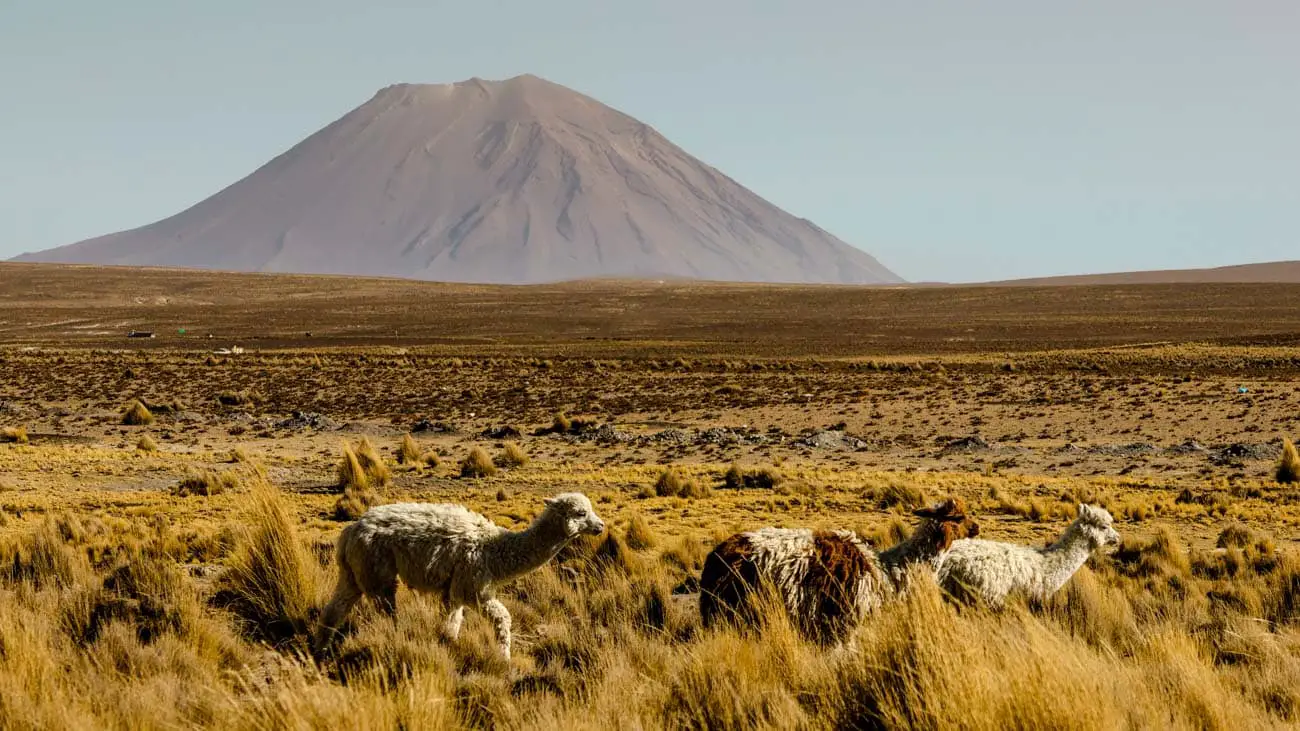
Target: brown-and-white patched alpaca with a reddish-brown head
(827,581)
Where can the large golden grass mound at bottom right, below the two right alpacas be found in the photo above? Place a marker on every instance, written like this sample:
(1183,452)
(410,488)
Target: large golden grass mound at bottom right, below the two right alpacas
(924,667)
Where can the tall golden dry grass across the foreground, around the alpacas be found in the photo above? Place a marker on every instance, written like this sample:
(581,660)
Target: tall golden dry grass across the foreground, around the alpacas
(1158,635)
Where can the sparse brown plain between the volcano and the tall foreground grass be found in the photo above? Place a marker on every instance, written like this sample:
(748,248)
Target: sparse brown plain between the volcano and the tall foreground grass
(1069,388)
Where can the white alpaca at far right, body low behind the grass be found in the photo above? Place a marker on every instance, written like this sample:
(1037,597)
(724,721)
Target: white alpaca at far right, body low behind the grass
(991,572)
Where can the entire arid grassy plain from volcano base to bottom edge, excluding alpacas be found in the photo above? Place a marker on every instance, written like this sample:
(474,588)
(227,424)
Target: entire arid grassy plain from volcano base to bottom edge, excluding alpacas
(167,573)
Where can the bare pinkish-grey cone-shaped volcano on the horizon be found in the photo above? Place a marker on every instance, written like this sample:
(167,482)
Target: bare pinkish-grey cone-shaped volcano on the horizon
(512,181)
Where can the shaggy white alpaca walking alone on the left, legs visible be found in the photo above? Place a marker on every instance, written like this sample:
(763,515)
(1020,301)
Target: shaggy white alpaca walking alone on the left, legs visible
(452,552)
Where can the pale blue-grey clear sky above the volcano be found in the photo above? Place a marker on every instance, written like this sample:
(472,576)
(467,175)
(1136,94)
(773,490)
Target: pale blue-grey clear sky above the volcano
(956,141)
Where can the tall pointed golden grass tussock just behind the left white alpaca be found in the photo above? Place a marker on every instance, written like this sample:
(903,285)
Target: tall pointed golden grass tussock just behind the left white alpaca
(272,581)
